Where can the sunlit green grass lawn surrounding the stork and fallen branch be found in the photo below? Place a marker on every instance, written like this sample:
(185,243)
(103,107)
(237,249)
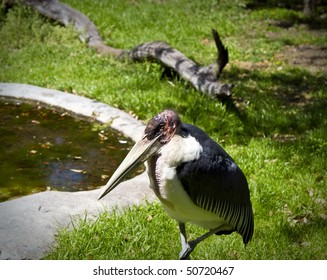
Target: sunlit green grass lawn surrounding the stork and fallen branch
(275,128)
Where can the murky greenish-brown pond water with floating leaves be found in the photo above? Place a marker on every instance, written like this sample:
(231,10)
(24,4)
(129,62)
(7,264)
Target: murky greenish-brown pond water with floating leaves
(44,148)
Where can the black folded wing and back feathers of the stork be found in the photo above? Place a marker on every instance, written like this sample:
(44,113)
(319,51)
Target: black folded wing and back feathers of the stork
(224,189)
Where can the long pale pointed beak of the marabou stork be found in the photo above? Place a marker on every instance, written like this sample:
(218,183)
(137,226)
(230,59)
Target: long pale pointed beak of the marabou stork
(140,152)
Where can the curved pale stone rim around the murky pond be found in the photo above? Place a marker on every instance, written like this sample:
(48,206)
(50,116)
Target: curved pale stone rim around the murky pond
(28,224)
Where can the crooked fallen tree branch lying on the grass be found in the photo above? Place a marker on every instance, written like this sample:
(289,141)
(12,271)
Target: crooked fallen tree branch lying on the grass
(203,78)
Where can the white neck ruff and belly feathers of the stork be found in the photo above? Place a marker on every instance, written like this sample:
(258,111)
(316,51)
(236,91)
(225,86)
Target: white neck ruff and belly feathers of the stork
(169,189)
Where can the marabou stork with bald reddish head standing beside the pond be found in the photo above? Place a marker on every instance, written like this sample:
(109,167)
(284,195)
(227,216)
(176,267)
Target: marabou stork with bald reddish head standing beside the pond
(194,178)
